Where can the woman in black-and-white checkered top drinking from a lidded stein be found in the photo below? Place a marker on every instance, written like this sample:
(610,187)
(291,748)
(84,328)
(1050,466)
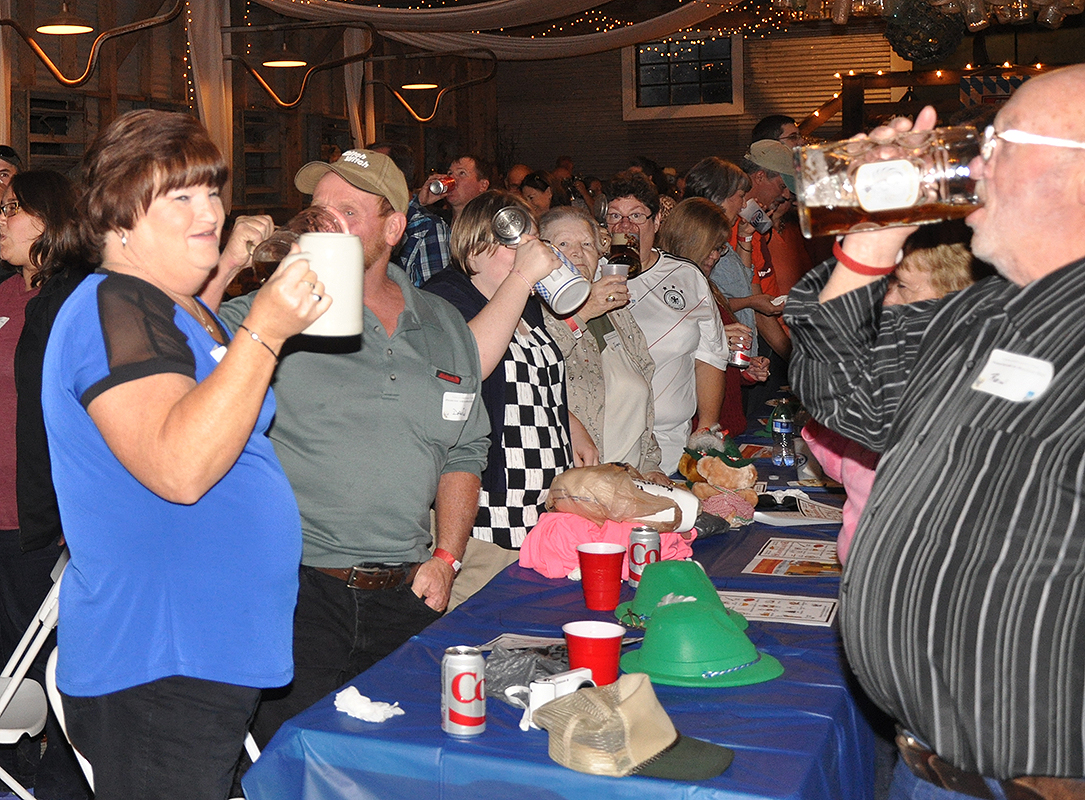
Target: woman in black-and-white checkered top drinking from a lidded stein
(524,388)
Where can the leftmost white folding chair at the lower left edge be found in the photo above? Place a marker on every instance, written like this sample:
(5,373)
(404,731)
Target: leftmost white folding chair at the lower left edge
(23,705)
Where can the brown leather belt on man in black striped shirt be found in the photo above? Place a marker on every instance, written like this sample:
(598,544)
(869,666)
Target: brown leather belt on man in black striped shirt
(929,767)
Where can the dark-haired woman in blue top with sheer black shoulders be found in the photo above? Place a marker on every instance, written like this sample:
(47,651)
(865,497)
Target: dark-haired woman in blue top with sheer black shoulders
(177,606)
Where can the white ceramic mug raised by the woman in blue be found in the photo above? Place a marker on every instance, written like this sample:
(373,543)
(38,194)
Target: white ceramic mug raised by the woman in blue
(338,261)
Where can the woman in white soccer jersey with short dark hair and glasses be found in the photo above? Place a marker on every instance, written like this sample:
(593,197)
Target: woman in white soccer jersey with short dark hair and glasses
(672,303)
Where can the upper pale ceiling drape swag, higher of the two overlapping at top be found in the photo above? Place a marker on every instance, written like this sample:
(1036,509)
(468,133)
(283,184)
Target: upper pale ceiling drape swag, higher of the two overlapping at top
(477,17)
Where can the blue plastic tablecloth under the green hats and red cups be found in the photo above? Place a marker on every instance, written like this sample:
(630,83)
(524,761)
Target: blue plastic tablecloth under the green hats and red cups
(799,736)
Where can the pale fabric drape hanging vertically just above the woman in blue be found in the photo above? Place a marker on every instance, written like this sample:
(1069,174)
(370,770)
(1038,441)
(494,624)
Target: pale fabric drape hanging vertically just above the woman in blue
(213,90)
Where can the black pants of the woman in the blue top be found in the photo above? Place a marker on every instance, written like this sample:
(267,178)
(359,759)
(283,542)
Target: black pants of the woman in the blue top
(176,738)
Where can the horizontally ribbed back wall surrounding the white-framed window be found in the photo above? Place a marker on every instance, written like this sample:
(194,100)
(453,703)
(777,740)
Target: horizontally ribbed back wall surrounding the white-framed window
(575,107)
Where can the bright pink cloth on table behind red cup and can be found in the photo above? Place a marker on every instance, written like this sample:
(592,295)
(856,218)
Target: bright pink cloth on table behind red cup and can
(551,548)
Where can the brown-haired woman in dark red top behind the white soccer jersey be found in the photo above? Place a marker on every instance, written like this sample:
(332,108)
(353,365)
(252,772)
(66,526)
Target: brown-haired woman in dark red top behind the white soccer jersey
(698,230)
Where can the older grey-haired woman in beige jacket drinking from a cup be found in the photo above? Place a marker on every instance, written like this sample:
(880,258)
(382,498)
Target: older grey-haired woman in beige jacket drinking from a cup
(608,369)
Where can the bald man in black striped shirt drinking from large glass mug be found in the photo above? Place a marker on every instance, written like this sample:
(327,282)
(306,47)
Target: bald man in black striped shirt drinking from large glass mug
(963,608)
